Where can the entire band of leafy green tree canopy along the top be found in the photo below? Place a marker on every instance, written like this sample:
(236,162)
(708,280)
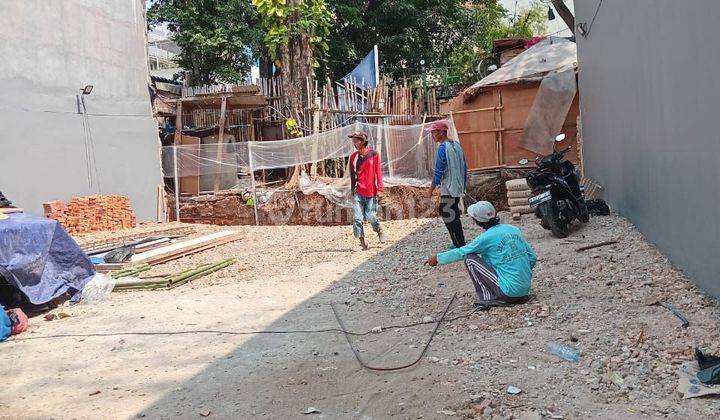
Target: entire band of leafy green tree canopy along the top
(220,39)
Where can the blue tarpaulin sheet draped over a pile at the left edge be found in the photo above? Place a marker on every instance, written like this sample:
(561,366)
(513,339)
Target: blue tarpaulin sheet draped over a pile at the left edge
(39,258)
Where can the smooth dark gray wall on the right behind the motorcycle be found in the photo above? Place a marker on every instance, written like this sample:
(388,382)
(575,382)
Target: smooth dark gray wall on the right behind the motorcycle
(650,102)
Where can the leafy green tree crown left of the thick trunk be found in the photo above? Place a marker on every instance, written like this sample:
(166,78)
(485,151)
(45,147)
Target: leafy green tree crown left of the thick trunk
(218,39)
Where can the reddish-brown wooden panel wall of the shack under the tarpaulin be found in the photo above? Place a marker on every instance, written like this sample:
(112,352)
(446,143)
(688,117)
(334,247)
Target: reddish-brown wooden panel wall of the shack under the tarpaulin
(491,125)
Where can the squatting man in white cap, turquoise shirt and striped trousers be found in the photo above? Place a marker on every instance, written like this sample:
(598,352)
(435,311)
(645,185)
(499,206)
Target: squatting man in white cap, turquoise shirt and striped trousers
(499,261)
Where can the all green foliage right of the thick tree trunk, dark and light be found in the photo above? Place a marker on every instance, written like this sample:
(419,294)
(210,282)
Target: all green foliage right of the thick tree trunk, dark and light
(441,33)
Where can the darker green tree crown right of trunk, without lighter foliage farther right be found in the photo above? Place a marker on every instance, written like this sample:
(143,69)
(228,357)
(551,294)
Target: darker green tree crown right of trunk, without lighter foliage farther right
(412,35)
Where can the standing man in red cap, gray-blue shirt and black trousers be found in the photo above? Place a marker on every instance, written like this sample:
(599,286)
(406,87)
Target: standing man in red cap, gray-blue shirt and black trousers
(450,175)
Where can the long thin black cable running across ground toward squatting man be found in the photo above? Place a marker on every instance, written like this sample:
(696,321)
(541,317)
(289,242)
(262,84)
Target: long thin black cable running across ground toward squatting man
(224,332)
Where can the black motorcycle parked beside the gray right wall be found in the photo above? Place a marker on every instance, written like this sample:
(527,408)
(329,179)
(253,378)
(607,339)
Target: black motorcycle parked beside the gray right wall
(557,196)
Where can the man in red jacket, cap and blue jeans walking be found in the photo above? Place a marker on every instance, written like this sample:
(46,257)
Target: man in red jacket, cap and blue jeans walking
(366,184)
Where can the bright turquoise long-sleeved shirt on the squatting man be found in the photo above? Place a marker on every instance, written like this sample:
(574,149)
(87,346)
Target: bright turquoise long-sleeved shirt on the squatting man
(504,248)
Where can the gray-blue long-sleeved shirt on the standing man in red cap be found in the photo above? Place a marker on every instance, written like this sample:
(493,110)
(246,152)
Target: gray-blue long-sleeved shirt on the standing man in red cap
(450,169)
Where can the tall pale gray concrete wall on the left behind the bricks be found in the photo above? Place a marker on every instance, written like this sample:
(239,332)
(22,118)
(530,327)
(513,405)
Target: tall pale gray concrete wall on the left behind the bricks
(48,51)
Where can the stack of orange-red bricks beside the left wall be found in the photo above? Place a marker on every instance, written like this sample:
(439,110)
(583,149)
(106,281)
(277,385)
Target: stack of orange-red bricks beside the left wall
(92,213)
